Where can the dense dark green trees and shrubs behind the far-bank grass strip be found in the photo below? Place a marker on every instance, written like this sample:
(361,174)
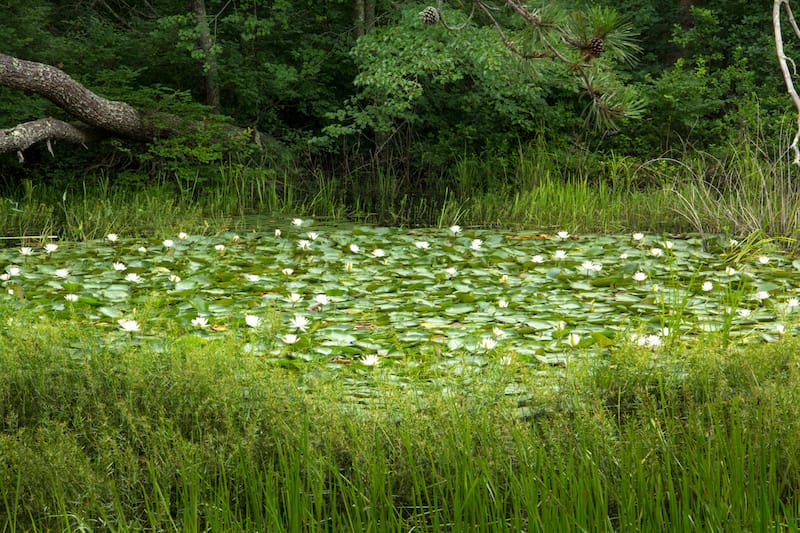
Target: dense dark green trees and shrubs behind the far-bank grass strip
(400,99)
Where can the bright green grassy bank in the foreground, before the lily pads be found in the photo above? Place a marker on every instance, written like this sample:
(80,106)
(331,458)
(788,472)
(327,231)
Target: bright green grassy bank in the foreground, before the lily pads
(198,436)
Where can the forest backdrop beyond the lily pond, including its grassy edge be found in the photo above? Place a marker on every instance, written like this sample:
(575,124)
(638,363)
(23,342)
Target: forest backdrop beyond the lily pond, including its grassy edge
(360,110)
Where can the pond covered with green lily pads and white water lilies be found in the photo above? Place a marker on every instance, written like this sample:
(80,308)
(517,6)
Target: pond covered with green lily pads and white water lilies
(376,295)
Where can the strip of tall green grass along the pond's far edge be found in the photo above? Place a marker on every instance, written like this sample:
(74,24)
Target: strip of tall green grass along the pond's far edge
(750,189)
